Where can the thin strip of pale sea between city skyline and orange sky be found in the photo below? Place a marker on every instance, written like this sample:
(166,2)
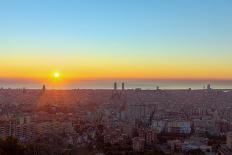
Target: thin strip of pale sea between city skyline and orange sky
(129,84)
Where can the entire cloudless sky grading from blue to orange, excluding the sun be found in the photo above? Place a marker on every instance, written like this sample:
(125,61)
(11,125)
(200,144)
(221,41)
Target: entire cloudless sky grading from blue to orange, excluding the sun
(98,39)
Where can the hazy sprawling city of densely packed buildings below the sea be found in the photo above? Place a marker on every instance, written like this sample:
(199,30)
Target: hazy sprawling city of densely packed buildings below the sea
(119,120)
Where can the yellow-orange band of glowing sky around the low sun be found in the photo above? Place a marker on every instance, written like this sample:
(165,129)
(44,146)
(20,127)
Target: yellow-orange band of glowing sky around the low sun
(78,67)
